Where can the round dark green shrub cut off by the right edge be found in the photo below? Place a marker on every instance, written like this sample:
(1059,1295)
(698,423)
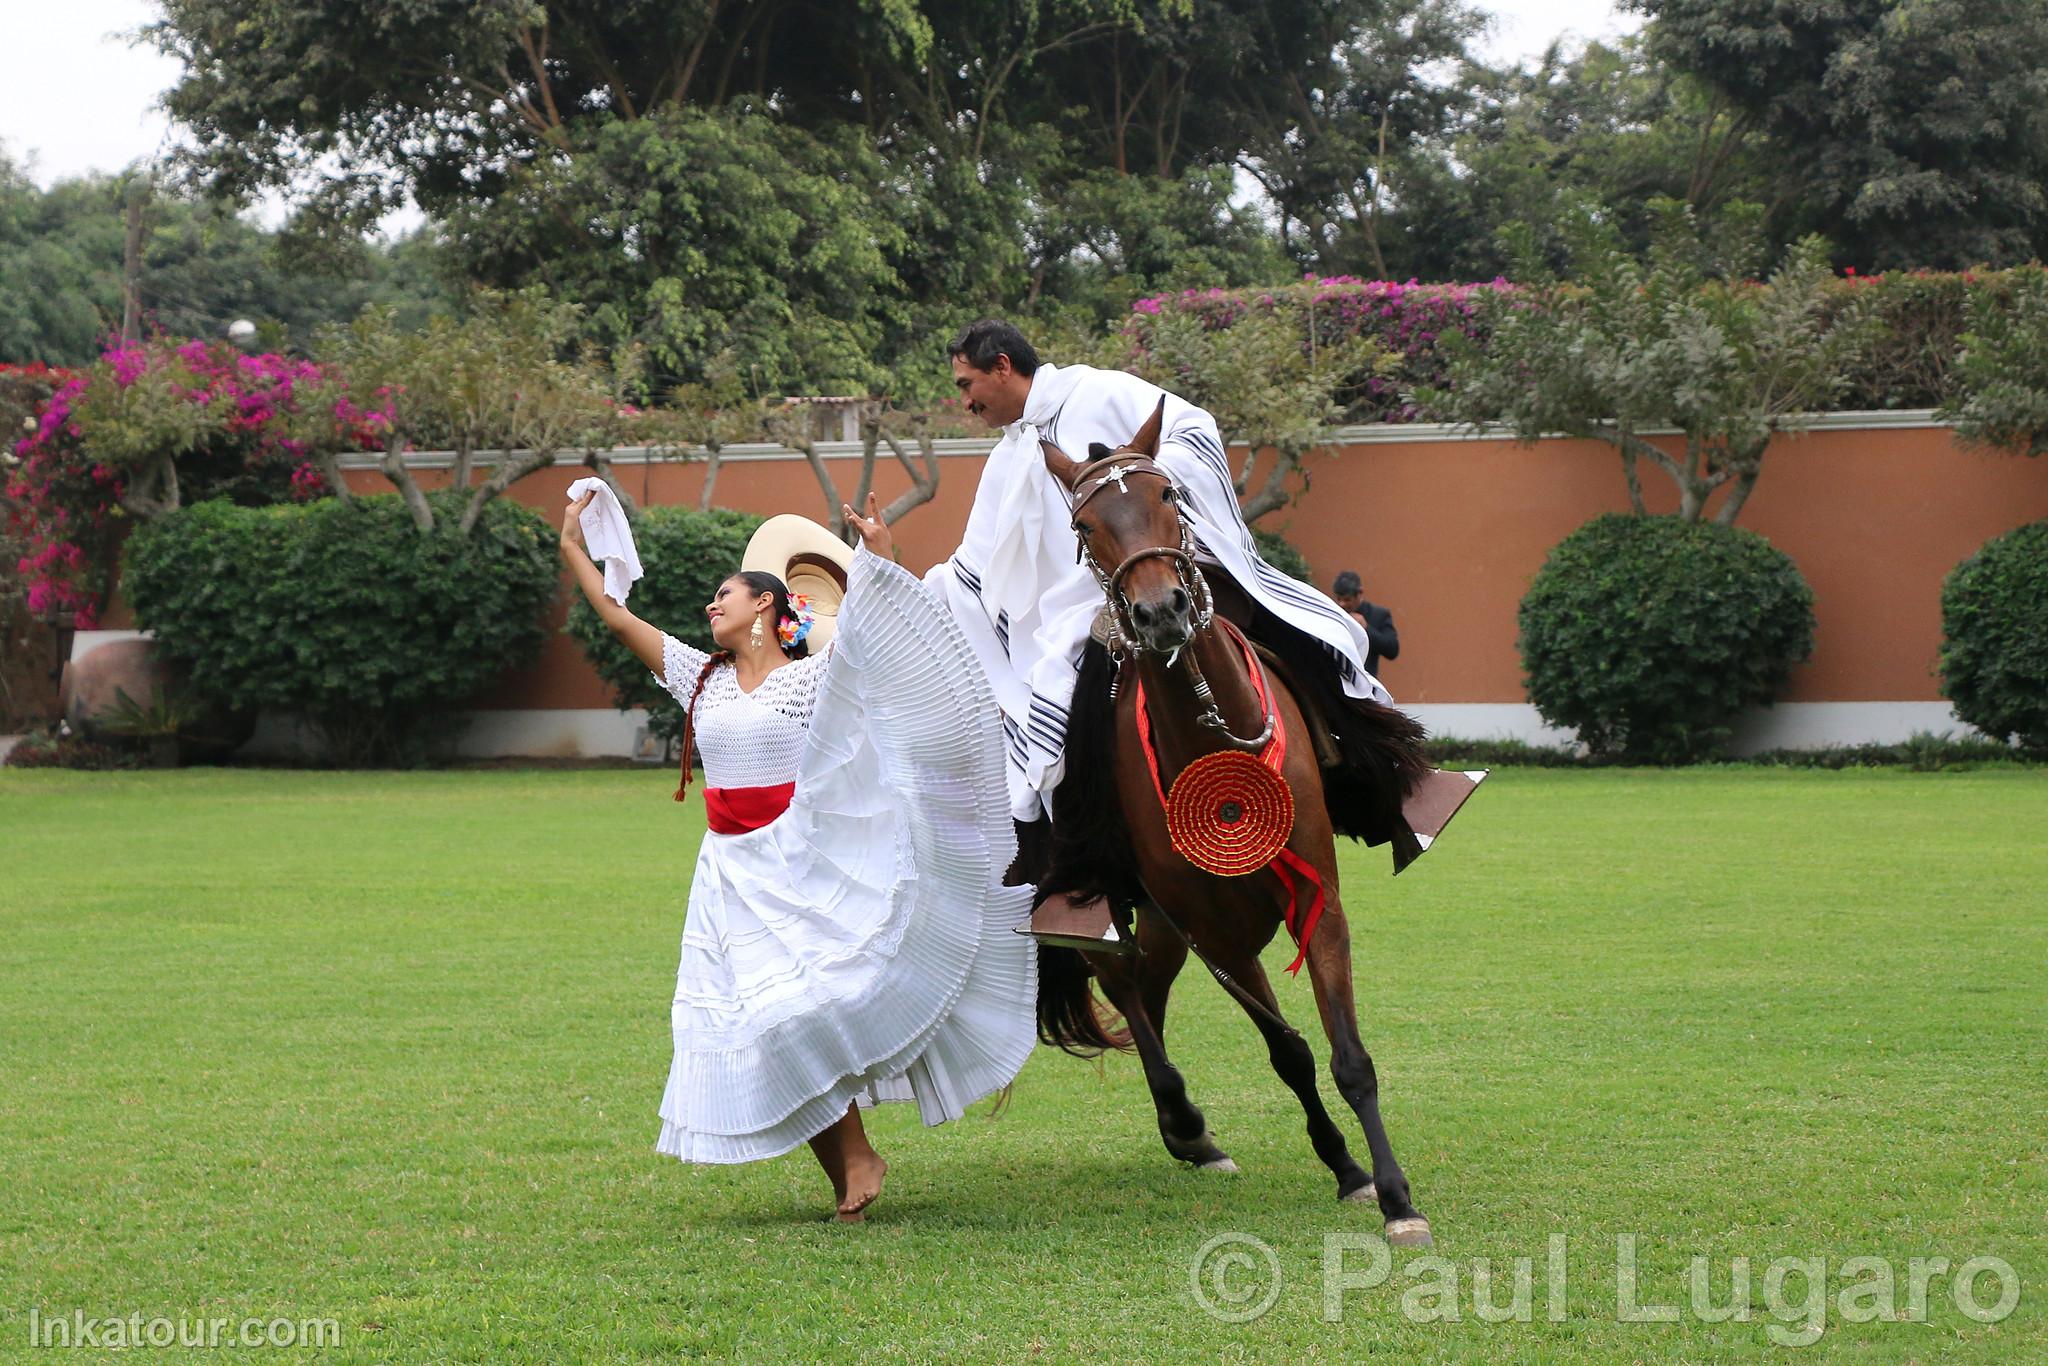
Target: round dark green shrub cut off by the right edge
(1996,638)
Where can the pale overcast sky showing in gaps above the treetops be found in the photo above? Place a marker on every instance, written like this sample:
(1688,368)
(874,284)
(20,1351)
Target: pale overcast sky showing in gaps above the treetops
(79,97)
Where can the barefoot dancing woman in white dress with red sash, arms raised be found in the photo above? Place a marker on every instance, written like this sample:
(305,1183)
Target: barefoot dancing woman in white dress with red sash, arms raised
(849,937)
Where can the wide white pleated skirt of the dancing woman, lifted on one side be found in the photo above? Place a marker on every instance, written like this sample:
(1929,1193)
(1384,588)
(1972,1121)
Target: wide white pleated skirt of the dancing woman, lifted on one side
(861,947)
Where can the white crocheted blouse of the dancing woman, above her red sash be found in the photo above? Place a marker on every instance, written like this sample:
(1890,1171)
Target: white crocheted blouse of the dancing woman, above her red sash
(746,738)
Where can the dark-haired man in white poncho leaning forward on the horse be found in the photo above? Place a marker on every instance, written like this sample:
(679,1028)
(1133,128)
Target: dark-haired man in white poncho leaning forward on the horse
(1029,605)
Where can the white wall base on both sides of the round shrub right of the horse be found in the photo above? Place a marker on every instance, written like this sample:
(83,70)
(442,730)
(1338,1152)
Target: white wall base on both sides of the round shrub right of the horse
(1789,726)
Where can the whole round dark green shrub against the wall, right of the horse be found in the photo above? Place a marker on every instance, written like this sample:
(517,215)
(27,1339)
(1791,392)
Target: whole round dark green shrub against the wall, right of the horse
(1650,636)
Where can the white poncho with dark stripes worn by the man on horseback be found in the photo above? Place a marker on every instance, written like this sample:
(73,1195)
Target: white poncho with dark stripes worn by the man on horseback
(1027,605)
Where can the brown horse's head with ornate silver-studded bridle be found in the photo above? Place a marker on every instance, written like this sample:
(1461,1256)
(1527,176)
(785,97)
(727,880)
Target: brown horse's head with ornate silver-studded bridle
(1127,515)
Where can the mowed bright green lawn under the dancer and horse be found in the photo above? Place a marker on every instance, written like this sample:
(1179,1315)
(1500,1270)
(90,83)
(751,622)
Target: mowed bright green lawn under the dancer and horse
(386,1050)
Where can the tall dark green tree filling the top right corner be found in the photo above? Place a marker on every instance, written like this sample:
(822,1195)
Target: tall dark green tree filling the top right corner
(1908,132)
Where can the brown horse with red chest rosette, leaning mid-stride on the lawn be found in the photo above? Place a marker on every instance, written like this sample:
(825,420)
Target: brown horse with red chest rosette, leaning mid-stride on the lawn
(1201,699)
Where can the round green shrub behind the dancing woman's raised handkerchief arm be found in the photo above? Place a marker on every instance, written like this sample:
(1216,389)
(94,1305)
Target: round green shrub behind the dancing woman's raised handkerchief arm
(685,556)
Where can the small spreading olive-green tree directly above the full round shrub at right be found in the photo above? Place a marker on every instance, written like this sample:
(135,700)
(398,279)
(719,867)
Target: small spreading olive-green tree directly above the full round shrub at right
(1680,341)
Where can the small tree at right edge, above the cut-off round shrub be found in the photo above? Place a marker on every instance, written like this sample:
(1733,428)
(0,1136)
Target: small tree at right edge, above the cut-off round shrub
(2002,374)
